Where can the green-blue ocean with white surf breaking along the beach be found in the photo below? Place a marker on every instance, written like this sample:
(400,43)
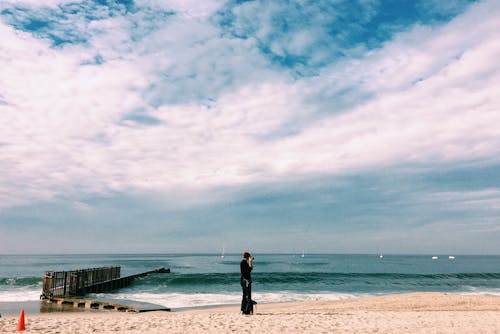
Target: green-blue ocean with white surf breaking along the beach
(209,279)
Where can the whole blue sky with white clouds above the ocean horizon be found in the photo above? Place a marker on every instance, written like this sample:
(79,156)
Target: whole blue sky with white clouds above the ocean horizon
(173,126)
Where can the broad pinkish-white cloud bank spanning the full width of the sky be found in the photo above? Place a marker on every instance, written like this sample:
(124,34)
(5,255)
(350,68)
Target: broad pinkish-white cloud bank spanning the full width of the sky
(62,123)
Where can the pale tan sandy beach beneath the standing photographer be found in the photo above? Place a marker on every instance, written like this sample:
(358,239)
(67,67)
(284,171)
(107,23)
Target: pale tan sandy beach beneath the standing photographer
(403,313)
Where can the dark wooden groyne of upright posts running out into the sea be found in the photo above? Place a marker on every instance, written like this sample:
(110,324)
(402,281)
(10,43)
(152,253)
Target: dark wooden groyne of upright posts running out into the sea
(77,283)
